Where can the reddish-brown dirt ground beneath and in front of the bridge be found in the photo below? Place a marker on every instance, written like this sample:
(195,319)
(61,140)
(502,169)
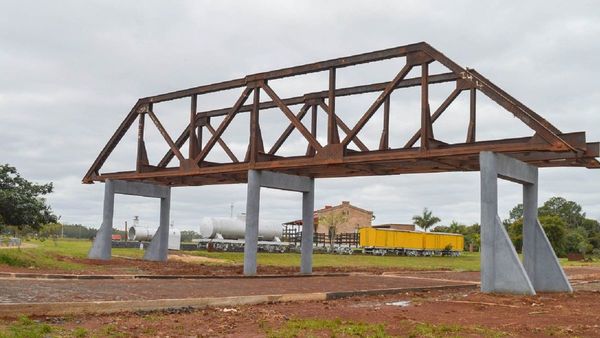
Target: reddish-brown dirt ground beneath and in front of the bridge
(452,313)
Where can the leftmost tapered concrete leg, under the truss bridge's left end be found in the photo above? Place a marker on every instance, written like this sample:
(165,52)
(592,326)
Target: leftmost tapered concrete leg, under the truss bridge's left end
(101,248)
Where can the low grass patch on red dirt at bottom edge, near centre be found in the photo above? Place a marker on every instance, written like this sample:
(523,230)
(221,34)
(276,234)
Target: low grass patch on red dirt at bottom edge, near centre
(329,328)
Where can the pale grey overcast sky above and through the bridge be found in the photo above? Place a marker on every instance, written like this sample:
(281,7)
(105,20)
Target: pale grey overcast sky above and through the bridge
(71,70)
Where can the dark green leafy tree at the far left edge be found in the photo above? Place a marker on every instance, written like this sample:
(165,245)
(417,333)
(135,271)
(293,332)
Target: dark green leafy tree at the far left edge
(21,201)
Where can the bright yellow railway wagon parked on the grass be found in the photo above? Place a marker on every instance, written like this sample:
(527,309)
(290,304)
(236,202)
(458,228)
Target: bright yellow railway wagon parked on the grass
(382,241)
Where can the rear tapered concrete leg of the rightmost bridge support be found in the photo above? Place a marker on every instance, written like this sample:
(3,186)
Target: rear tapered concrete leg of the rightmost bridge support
(539,259)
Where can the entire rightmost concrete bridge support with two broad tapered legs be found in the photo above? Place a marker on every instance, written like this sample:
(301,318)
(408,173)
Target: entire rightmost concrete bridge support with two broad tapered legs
(501,269)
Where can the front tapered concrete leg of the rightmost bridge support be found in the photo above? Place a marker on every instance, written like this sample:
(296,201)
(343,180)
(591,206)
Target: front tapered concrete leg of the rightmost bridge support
(501,269)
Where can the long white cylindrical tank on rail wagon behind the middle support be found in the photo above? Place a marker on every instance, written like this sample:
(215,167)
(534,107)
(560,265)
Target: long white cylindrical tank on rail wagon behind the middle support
(234,228)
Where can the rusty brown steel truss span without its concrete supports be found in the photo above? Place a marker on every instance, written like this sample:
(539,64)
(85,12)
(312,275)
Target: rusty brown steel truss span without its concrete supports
(546,147)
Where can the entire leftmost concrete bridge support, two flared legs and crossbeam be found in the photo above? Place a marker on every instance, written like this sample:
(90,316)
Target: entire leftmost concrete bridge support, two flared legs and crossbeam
(158,248)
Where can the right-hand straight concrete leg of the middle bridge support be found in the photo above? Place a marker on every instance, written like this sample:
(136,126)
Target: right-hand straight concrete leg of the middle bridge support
(308,207)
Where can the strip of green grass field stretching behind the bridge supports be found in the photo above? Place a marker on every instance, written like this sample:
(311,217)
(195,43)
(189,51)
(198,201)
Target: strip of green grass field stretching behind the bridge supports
(50,254)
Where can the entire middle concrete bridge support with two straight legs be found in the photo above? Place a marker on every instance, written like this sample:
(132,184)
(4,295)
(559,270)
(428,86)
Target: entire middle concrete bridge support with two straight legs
(274,180)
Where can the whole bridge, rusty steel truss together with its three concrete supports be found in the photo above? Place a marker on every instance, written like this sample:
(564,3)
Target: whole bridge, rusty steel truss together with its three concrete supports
(343,154)
